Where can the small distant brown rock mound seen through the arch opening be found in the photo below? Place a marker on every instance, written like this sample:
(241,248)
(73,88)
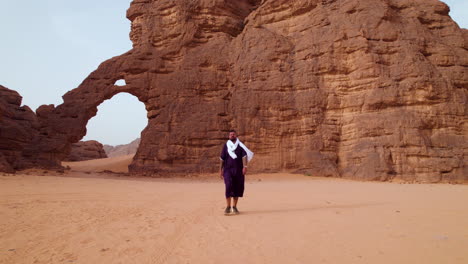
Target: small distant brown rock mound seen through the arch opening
(86,150)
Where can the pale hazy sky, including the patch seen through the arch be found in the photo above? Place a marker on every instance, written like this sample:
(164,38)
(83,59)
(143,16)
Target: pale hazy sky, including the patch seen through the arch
(49,47)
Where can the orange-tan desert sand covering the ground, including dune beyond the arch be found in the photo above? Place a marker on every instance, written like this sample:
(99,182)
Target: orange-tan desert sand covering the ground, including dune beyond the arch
(82,216)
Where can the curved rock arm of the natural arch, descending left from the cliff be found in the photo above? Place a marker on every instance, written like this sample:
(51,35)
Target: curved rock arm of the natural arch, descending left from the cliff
(65,124)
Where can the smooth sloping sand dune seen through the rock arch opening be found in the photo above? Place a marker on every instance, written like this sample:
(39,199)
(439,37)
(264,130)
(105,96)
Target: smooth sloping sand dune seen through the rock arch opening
(114,164)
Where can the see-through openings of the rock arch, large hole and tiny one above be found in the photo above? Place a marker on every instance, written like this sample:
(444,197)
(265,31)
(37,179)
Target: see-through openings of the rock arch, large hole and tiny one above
(113,133)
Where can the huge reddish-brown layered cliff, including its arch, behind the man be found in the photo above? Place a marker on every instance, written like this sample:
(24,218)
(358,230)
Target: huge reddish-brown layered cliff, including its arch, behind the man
(372,89)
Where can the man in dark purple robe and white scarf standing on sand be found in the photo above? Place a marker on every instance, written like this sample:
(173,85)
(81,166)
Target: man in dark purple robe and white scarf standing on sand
(234,158)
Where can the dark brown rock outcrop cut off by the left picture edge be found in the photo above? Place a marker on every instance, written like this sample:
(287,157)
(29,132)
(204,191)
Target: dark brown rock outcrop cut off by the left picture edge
(18,128)
